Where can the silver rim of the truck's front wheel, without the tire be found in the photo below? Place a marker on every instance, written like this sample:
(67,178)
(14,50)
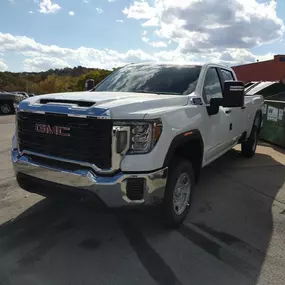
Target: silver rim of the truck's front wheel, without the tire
(181,193)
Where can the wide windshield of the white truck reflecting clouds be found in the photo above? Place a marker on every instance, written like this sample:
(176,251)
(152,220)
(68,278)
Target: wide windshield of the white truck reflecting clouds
(156,78)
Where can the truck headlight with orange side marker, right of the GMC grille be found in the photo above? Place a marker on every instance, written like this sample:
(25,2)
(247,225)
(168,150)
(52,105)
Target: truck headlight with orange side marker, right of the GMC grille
(143,135)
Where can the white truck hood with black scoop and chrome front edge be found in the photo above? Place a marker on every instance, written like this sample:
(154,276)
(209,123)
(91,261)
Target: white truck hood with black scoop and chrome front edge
(117,105)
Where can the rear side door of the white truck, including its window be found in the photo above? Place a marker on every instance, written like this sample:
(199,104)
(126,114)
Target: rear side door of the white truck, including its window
(236,114)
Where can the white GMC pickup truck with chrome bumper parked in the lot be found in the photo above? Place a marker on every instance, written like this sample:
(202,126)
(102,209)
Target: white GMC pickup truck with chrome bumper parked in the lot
(141,136)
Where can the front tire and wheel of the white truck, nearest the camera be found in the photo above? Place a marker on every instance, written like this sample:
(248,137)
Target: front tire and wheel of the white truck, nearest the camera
(180,170)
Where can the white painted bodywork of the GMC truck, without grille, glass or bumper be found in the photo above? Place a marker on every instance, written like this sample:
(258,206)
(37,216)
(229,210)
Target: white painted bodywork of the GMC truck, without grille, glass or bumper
(178,115)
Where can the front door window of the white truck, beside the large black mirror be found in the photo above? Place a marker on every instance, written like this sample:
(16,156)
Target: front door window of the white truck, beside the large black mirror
(212,85)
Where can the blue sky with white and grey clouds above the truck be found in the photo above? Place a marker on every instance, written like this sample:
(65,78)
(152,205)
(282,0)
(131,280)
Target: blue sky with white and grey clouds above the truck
(37,35)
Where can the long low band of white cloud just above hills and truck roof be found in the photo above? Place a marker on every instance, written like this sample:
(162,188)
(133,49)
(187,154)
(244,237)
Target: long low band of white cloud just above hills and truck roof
(37,56)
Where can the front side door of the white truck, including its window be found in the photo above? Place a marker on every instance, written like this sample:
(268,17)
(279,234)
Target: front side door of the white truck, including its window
(218,139)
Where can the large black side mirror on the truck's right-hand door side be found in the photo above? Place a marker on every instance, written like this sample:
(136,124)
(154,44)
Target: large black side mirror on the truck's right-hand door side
(233,94)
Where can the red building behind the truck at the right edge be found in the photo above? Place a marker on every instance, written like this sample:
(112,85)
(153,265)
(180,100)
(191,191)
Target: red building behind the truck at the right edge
(270,70)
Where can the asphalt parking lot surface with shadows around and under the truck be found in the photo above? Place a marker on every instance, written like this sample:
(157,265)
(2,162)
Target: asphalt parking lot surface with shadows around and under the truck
(234,233)
